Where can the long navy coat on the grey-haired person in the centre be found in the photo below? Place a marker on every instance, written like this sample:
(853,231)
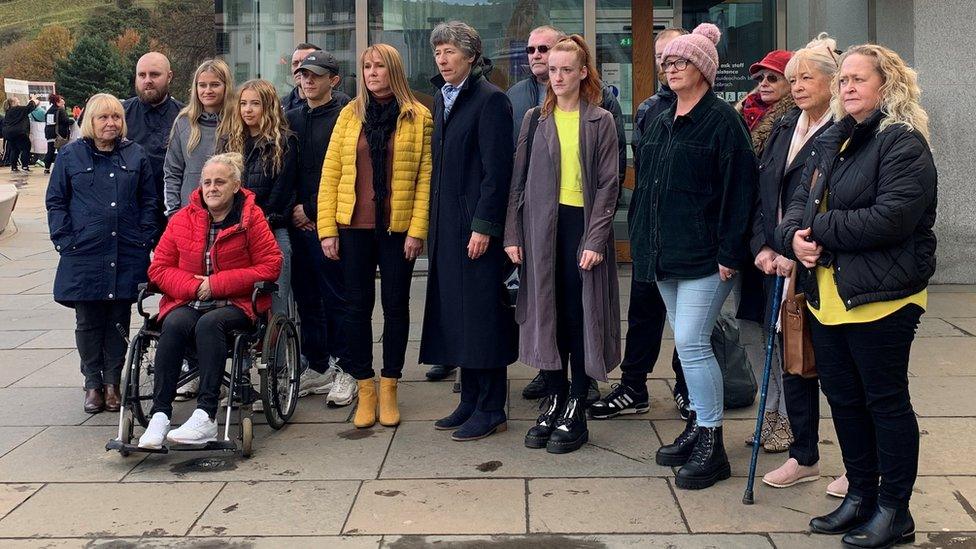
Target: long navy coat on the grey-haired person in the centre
(466,321)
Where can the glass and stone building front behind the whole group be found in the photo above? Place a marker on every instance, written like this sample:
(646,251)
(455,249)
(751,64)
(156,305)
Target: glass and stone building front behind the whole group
(257,38)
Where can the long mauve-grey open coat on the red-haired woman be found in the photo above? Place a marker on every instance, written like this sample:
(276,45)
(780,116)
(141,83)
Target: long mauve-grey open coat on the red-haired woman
(531,224)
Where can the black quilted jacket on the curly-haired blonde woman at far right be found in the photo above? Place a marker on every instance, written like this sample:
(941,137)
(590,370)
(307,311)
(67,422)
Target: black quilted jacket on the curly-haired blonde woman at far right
(881,198)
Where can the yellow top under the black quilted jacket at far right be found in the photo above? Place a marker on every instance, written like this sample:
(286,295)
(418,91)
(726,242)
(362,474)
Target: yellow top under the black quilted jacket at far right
(832,311)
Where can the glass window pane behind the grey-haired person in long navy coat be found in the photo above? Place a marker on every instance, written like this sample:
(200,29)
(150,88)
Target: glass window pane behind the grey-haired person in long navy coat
(504,27)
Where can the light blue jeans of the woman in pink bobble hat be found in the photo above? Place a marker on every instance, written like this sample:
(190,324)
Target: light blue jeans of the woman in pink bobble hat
(693,307)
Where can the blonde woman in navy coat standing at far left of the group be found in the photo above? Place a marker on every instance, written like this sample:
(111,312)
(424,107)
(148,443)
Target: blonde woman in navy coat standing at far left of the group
(101,203)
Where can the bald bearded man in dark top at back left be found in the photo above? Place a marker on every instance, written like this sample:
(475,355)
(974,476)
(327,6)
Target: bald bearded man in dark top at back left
(149,116)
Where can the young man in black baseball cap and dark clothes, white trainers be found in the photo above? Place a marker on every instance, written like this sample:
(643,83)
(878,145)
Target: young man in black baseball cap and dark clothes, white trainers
(316,280)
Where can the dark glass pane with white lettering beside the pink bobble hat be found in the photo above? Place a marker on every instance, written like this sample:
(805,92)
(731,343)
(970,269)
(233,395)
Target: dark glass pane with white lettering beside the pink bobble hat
(748,33)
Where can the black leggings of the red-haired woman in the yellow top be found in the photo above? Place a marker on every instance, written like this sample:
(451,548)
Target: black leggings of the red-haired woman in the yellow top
(569,306)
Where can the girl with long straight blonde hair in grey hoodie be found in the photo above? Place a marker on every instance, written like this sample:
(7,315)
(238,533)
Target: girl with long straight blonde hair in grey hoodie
(193,136)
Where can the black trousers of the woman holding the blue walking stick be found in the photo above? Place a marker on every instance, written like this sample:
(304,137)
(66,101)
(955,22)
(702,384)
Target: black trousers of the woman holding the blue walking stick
(803,409)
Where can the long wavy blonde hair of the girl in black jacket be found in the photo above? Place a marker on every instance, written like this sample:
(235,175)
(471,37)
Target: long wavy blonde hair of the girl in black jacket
(232,132)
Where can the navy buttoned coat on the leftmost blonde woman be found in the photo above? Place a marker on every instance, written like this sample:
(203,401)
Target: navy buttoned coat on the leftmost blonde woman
(101,211)
